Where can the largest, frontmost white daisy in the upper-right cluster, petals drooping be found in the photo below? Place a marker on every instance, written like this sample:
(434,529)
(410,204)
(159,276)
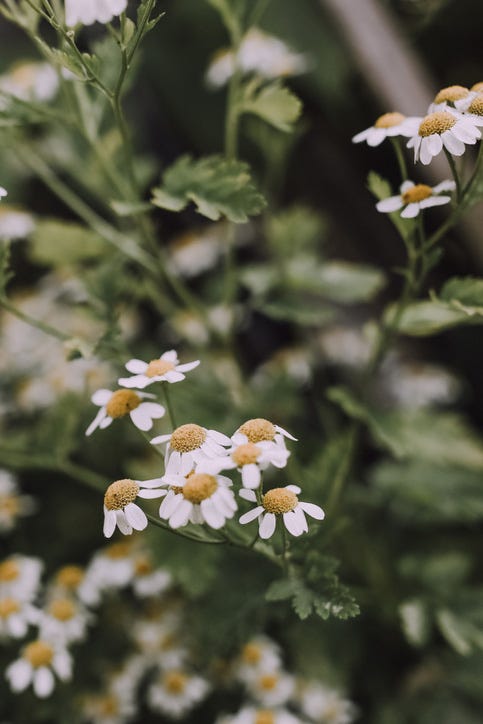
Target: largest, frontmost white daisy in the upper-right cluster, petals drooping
(446,128)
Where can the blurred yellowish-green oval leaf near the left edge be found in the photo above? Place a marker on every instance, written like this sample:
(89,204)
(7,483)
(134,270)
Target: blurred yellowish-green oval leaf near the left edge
(60,243)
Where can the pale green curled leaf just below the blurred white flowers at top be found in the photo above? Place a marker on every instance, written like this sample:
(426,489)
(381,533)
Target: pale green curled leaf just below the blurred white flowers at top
(273,103)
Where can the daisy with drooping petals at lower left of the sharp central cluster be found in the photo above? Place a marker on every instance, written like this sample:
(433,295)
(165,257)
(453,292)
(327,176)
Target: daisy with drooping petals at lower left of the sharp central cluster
(120,509)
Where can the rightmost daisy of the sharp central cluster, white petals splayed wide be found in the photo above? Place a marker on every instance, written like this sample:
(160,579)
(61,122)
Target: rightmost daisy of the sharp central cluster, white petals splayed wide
(280,502)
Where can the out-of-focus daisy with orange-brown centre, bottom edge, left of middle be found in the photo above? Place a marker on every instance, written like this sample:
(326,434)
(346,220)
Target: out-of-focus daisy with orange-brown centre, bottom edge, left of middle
(175,693)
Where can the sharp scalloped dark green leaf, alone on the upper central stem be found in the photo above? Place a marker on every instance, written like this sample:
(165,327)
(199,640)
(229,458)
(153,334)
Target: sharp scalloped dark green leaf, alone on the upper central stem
(217,186)
